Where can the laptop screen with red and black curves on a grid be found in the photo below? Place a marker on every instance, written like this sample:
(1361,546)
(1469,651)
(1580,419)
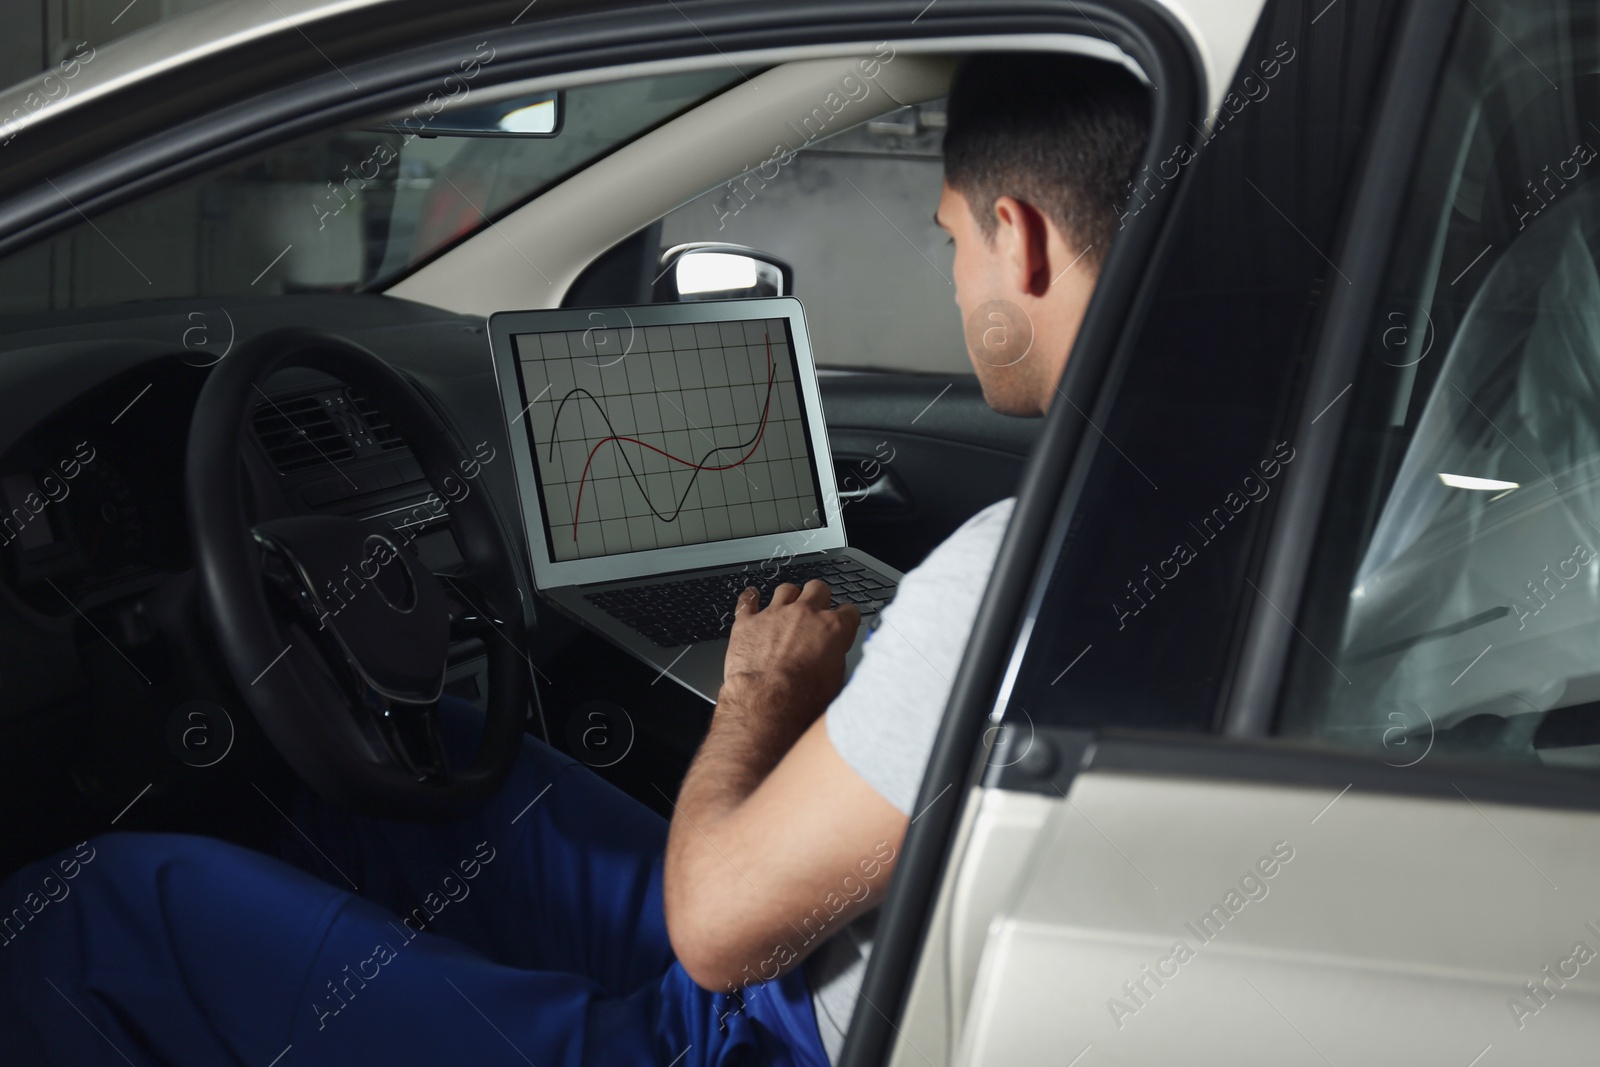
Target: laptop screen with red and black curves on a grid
(665,436)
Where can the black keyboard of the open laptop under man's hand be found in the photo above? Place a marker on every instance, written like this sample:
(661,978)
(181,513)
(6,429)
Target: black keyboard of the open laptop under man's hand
(702,609)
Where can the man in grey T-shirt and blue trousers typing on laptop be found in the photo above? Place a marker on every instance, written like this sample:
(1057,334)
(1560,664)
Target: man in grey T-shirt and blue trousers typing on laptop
(566,924)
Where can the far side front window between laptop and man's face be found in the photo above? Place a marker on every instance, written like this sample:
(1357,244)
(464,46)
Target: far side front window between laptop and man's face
(854,215)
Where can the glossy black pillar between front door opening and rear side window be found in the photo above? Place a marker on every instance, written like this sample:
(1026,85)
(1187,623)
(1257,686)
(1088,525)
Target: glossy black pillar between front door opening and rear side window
(1146,591)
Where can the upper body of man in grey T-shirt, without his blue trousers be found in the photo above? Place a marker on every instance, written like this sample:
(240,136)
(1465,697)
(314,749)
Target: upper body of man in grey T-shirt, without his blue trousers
(790,818)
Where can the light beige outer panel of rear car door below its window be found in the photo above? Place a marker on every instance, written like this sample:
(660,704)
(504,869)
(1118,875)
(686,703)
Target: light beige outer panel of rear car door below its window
(1385,935)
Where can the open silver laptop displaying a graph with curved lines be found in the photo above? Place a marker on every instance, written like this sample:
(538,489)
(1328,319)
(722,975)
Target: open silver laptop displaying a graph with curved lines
(668,457)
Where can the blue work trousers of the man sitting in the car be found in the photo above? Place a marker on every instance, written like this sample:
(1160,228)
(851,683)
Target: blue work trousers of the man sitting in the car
(529,933)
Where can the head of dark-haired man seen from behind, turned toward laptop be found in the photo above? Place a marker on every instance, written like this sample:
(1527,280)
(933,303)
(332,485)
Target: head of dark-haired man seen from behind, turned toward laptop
(1038,159)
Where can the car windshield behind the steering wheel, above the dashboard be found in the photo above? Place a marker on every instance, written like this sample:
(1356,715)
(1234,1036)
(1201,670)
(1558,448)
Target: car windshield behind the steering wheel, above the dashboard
(351,210)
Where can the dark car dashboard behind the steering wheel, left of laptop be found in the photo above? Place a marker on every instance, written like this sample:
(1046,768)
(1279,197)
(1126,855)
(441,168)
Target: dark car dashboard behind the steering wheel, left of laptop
(95,412)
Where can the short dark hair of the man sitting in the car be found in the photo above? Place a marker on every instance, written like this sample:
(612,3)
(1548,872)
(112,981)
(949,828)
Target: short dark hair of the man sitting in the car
(1063,134)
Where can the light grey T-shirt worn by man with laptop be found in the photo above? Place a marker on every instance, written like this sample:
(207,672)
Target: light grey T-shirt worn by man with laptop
(882,724)
